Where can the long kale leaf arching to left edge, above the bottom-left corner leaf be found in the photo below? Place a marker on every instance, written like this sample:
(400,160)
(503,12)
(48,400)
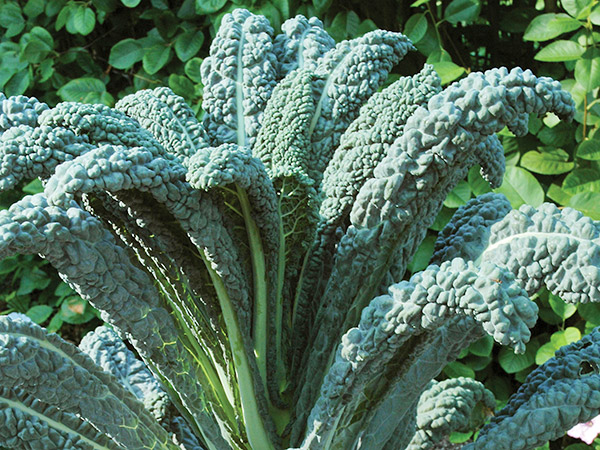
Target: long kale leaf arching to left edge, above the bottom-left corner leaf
(89,259)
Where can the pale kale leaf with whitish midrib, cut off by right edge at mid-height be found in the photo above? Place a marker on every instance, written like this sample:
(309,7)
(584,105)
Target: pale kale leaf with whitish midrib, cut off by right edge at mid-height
(550,246)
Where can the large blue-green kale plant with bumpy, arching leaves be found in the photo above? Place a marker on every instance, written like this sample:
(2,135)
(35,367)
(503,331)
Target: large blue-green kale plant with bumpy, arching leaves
(254,260)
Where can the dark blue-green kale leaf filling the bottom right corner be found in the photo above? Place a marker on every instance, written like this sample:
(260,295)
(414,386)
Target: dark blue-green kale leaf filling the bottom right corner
(556,396)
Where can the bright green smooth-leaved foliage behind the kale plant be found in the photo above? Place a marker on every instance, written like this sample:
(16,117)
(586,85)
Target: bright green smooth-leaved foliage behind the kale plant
(97,51)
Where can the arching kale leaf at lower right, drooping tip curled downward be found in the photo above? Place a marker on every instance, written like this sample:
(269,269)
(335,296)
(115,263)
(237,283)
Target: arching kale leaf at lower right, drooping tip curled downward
(487,294)
